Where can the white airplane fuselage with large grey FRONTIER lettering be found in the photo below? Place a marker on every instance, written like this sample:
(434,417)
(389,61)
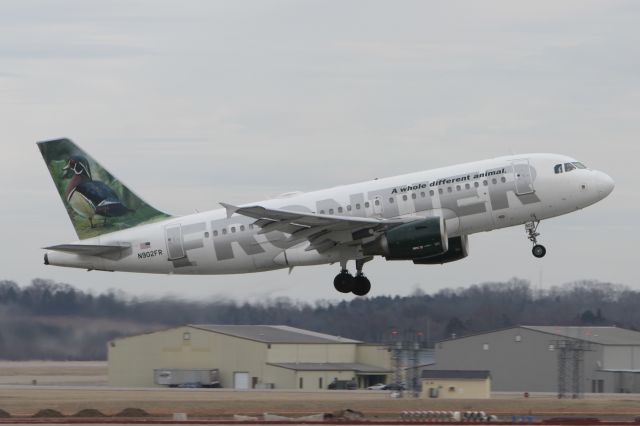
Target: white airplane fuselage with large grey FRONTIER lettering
(472,197)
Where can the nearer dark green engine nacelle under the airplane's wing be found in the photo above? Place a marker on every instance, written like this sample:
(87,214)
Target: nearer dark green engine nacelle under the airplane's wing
(413,240)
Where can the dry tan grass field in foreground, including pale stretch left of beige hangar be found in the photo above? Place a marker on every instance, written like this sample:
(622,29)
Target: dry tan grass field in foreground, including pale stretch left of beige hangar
(70,387)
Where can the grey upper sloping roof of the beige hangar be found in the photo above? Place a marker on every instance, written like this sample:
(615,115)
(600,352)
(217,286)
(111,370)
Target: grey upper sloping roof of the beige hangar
(273,333)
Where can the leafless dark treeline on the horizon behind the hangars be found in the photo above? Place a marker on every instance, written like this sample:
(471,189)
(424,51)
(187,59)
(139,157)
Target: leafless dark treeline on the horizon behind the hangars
(48,320)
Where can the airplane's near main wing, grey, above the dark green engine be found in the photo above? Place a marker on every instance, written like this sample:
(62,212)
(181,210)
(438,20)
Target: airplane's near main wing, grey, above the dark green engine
(323,232)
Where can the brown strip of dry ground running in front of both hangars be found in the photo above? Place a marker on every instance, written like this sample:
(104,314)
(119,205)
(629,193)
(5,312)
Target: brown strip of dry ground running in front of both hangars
(217,403)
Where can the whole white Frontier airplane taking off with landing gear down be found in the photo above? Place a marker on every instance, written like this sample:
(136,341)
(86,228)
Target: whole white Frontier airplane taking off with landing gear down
(424,217)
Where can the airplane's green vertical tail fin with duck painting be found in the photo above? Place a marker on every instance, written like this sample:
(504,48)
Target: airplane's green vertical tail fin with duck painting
(96,201)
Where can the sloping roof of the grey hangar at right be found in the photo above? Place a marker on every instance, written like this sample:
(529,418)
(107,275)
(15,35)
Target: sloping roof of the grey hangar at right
(599,335)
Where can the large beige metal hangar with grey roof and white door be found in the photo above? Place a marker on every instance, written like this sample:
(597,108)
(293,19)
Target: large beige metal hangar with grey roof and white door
(246,357)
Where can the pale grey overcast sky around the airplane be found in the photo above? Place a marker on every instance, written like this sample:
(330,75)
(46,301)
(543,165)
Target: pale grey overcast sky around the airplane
(191,103)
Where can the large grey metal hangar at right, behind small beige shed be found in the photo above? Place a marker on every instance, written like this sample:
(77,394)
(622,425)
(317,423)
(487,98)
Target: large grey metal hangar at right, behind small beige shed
(529,358)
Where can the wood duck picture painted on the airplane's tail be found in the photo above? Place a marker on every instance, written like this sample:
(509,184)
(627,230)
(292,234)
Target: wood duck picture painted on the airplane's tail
(89,197)
